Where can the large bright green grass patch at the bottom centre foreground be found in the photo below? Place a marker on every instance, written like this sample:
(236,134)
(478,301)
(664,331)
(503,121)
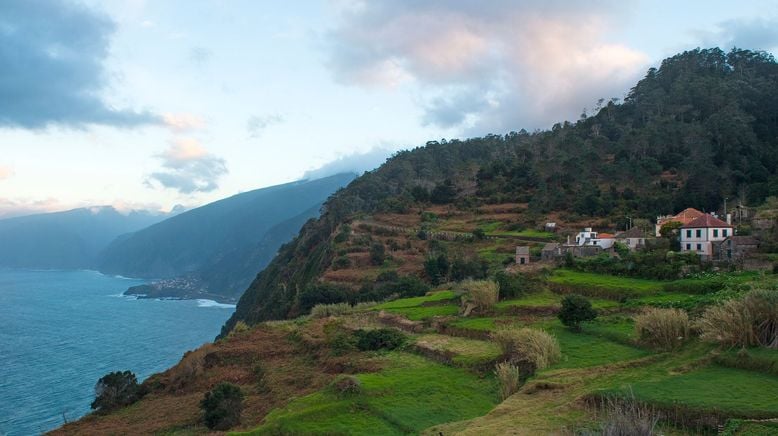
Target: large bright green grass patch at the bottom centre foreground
(409,395)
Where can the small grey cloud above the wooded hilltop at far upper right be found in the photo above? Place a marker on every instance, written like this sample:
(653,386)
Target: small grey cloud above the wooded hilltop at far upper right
(752,34)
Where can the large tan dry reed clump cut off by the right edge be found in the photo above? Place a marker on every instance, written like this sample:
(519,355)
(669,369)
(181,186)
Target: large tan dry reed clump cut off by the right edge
(750,321)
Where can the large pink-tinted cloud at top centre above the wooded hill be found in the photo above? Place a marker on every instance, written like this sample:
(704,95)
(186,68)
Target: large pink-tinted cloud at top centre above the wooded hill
(490,66)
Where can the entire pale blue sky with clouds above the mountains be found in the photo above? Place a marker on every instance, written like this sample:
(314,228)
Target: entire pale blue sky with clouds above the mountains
(147,104)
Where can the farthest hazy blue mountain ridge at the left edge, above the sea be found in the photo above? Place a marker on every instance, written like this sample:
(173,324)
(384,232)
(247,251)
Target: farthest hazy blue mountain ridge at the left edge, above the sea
(66,240)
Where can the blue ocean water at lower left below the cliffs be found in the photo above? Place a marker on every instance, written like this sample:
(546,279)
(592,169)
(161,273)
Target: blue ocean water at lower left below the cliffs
(60,331)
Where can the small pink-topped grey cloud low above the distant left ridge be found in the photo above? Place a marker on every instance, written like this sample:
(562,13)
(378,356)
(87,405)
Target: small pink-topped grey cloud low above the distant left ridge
(187,167)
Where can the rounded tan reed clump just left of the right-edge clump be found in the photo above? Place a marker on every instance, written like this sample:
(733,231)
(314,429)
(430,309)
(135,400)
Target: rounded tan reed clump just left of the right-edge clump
(664,329)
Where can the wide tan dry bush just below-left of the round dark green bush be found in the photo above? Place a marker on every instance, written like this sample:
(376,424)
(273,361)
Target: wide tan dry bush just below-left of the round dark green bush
(529,346)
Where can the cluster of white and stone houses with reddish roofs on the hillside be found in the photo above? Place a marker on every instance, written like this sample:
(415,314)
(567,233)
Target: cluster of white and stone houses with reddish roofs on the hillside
(709,236)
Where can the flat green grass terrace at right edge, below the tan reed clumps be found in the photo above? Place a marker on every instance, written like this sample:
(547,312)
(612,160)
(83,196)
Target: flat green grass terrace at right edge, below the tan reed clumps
(733,391)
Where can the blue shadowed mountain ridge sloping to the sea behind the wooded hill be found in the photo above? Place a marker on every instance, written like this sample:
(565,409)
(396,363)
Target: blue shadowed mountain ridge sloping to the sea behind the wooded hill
(217,249)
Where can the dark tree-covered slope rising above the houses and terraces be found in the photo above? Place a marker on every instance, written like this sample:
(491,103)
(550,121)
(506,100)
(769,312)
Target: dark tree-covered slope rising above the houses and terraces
(702,127)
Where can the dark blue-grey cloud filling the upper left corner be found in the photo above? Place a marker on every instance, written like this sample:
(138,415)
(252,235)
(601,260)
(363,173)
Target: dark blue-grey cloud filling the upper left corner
(53,71)
